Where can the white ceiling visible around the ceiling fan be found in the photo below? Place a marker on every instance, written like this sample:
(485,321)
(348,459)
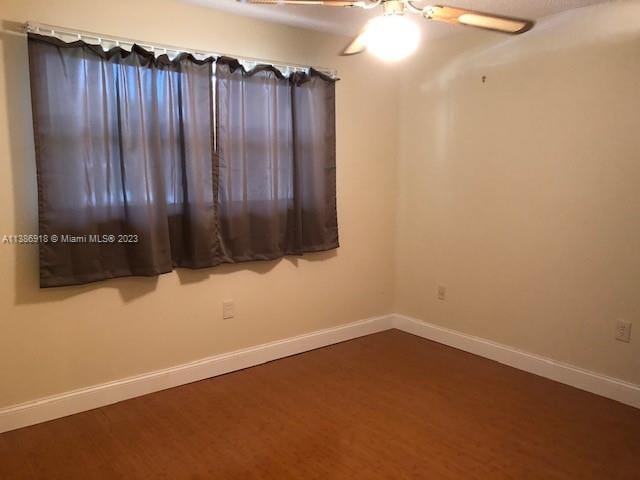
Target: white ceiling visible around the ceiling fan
(348,21)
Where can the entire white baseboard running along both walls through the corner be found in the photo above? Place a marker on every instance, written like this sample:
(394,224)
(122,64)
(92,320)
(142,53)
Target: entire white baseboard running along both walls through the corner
(84,399)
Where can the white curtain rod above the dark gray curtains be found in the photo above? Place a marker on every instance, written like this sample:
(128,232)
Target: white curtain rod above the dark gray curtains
(91,37)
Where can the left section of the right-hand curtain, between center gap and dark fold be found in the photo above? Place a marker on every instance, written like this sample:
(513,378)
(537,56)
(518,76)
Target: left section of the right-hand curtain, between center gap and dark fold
(255,149)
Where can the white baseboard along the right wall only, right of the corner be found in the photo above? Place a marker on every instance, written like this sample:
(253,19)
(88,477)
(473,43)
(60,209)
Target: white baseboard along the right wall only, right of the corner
(613,388)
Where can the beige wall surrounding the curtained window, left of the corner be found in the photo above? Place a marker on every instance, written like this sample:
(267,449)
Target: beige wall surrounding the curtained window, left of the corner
(60,339)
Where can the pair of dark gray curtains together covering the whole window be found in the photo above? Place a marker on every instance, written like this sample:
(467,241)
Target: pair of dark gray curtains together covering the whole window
(148,163)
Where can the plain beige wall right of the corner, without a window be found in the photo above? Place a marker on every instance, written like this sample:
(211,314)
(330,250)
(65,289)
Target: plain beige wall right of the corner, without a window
(522,194)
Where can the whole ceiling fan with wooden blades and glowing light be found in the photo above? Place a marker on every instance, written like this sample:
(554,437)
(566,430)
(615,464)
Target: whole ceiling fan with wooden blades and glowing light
(392,36)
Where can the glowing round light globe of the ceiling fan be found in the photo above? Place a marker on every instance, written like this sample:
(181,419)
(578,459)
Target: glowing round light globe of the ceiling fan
(391,37)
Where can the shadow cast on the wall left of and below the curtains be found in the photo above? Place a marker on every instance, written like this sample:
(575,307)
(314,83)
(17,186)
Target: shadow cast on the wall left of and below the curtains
(23,168)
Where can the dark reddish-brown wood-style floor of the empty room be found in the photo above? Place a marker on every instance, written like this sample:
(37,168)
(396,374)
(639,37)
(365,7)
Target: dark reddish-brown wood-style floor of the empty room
(386,406)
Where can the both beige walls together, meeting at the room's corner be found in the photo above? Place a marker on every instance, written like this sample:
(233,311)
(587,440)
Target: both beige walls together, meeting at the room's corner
(519,194)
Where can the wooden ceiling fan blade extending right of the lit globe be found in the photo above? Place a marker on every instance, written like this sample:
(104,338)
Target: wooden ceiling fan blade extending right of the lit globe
(472,18)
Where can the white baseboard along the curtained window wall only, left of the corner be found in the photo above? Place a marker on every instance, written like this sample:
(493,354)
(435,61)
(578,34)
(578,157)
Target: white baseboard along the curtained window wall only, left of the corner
(84,399)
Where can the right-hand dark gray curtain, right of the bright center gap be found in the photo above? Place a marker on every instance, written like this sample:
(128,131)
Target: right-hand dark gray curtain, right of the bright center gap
(276,146)
